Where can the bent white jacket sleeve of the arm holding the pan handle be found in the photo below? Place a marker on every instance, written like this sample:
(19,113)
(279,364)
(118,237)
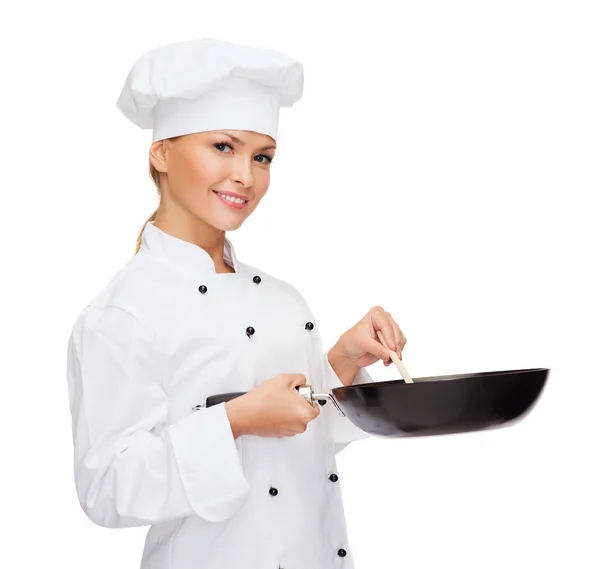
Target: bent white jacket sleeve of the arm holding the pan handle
(131,467)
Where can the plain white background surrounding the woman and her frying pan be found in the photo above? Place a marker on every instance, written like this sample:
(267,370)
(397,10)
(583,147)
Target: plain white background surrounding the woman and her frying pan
(443,163)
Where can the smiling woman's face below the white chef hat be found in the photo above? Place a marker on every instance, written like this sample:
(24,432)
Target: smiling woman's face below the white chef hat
(201,164)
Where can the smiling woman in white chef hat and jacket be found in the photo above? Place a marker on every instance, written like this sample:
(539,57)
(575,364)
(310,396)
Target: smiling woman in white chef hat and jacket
(247,484)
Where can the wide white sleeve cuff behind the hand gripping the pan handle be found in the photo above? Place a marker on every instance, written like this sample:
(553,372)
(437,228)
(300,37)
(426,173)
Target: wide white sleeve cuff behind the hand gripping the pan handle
(209,463)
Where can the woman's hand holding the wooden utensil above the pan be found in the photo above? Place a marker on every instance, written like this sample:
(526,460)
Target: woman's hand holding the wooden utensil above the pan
(360,344)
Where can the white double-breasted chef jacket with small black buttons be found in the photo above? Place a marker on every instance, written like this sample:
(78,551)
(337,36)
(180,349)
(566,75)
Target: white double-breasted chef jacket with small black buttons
(166,332)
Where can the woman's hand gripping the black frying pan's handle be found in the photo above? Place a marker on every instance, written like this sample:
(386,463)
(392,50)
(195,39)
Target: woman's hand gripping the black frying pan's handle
(274,408)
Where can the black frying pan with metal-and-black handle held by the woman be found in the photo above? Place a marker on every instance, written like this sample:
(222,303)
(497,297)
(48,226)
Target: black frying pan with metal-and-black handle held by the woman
(434,405)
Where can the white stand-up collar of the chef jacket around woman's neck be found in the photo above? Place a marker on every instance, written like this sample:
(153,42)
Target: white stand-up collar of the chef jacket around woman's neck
(180,252)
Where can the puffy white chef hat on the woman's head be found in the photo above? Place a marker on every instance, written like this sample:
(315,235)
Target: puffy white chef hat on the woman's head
(209,84)
